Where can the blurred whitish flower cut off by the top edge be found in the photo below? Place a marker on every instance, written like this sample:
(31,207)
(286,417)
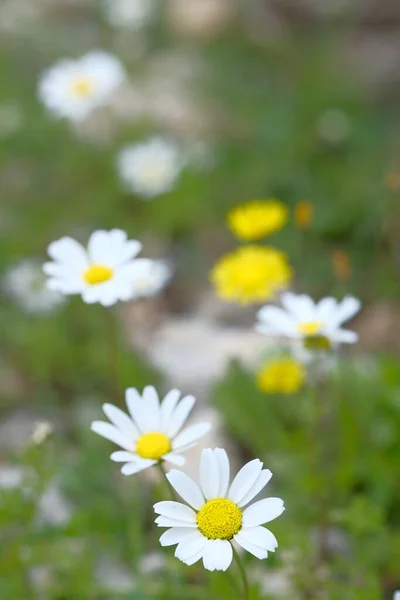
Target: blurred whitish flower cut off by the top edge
(133,14)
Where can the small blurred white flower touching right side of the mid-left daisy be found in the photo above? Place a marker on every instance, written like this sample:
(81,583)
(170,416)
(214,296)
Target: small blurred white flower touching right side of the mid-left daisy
(149,278)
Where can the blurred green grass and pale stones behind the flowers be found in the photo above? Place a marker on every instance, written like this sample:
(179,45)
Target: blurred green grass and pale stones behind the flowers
(290,99)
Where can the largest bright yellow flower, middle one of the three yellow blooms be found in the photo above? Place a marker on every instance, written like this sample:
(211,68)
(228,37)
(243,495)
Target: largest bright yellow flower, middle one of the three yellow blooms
(251,274)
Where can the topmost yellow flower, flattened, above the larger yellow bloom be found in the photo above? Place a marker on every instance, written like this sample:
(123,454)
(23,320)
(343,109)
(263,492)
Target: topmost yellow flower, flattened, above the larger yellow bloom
(257,219)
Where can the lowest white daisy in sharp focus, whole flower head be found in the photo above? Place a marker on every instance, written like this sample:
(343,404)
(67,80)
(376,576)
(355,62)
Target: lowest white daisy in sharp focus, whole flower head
(218,516)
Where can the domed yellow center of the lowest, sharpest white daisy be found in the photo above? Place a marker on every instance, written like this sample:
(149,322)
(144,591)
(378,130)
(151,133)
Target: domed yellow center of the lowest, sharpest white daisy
(219,519)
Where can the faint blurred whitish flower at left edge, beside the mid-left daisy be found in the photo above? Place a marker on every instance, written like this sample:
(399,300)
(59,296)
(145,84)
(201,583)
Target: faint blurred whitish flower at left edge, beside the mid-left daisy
(26,285)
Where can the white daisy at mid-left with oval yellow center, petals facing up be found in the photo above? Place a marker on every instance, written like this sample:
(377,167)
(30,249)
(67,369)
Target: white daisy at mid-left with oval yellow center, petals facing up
(101,273)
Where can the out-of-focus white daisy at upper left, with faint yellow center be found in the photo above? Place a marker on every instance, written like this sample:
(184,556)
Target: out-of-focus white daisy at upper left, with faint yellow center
(74,88)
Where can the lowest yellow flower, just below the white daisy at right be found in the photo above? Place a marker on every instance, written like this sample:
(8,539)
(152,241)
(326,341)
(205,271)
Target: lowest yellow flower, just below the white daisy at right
(281,376)
